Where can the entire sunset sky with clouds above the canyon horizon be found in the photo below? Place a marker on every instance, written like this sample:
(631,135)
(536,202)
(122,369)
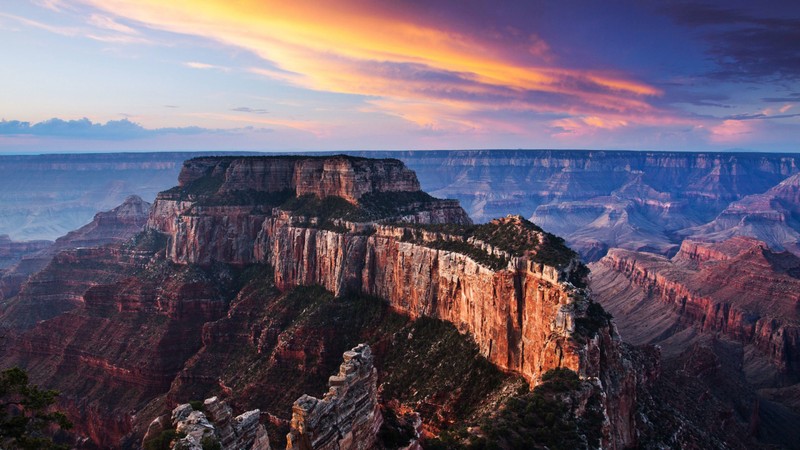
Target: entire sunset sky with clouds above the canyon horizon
(258,75)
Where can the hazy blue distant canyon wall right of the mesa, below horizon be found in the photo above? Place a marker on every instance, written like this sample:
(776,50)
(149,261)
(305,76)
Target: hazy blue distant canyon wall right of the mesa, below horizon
(599,200)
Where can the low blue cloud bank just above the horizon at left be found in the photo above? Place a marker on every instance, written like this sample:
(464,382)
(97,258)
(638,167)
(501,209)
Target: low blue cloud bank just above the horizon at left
(86,129)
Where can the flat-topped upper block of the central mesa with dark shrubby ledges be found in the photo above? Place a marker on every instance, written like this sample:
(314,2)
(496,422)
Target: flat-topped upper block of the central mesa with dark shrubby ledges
(218,210)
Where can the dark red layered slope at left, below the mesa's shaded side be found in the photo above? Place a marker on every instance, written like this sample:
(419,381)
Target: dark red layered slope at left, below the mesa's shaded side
(110,332)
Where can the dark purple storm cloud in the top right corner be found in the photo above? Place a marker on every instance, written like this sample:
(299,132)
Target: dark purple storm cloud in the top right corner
(745,45)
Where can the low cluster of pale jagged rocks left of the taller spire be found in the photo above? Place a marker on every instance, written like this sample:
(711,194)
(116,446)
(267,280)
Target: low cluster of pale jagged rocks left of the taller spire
(215,424)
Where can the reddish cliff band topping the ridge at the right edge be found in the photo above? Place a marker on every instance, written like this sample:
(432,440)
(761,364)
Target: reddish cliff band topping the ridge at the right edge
(705,285)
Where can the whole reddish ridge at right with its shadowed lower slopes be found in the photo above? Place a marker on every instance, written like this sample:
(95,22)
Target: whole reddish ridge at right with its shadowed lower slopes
(726,311)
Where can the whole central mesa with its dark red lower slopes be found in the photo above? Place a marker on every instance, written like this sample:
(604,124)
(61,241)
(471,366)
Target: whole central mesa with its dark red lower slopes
(233,255)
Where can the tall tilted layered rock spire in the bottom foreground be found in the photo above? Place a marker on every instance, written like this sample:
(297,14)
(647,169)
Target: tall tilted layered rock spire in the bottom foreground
(348,416)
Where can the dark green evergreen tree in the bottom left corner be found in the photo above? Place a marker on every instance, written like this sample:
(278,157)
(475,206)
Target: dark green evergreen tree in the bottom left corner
(27,417)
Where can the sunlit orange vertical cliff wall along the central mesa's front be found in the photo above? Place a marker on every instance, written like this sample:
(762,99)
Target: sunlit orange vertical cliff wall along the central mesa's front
(521,317)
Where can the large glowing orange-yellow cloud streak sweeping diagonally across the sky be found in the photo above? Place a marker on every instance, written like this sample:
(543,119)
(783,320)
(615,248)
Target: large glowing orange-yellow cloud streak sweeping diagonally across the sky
(354,47)
